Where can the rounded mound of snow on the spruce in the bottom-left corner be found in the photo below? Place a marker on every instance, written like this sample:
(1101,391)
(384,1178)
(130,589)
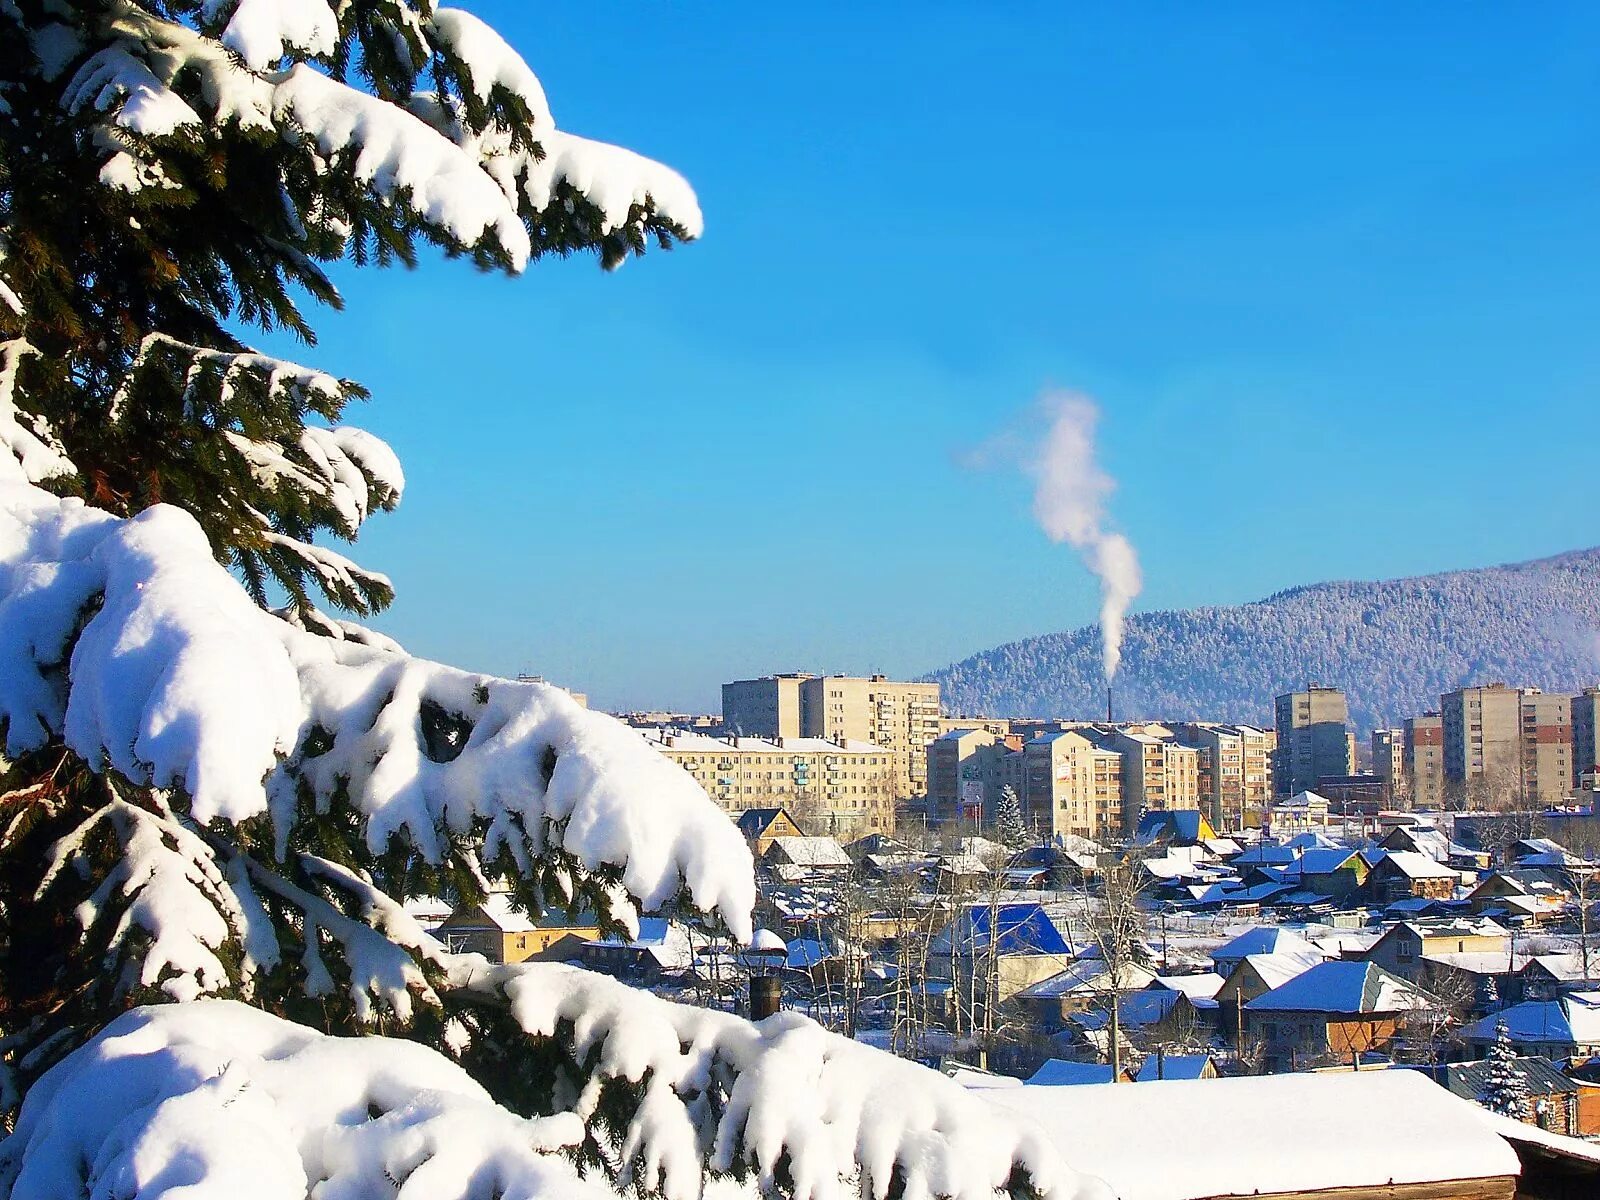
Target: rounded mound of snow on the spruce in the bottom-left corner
(226,1100)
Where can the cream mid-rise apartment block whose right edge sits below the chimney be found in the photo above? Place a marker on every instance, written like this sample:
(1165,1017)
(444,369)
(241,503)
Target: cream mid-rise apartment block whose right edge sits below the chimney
(1073,786)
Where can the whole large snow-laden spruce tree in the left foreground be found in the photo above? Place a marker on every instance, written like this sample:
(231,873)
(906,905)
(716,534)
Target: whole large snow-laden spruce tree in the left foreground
(214,814)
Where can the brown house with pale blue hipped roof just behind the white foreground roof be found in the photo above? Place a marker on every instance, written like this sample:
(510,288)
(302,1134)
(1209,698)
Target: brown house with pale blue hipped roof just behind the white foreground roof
(1334,1014)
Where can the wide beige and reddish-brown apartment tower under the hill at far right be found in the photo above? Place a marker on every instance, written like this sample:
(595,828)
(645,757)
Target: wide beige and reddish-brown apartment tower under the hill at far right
(1506,746)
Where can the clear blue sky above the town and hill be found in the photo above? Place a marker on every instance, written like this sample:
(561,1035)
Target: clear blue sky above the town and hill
(1330,270)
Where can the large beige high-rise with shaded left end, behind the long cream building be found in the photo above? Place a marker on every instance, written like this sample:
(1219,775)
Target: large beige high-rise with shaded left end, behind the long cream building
(900,718)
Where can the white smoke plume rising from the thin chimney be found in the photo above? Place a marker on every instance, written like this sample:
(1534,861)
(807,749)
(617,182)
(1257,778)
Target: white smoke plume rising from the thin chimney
(1070,503)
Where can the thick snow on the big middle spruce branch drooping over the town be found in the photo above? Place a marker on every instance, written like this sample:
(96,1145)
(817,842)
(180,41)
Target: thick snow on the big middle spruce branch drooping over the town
(132,644)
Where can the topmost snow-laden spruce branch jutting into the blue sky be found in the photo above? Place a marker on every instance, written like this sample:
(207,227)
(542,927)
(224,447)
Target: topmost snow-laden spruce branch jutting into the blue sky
(505,177)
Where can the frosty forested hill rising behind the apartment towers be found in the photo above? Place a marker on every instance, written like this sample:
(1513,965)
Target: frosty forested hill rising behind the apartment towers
(1394,647)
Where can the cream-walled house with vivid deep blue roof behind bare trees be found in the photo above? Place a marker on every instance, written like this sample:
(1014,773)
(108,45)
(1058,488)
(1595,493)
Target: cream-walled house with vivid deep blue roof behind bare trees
(998,948)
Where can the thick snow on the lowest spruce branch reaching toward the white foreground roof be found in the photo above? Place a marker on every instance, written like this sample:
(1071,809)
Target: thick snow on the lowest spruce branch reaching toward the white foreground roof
(783,1102)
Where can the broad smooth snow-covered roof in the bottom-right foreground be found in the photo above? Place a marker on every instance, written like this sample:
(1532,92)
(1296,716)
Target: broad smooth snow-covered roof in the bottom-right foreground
(1374,1129)
